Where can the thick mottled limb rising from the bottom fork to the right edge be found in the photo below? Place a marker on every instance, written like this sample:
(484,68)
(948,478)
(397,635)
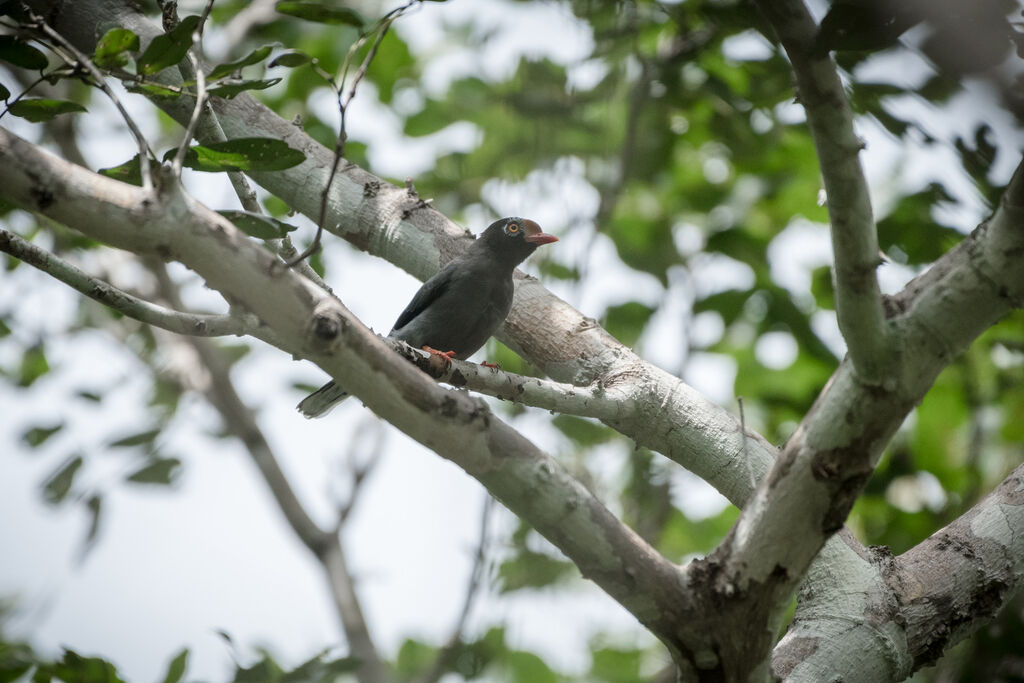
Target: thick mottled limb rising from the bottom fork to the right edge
(807,496)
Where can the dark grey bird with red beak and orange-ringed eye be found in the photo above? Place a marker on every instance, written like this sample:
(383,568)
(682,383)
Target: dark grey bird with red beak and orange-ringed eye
(457,311)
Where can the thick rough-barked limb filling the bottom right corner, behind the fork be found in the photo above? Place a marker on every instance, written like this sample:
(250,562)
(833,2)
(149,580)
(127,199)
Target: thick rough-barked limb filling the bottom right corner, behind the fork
(903,614)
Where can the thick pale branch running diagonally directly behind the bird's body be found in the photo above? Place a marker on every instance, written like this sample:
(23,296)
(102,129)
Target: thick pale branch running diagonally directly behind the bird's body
(396,225)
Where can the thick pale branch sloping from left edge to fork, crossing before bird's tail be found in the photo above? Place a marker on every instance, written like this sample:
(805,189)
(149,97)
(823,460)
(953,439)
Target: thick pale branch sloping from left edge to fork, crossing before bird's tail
(454,424)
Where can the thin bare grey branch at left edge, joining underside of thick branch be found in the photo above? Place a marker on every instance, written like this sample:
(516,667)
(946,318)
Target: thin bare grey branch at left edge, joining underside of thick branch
(198,325)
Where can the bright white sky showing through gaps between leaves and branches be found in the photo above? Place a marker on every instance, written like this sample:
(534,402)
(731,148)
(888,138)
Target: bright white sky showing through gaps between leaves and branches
(174,566)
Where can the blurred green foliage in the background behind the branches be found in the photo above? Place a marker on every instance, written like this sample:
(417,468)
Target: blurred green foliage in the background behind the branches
(681,116)
